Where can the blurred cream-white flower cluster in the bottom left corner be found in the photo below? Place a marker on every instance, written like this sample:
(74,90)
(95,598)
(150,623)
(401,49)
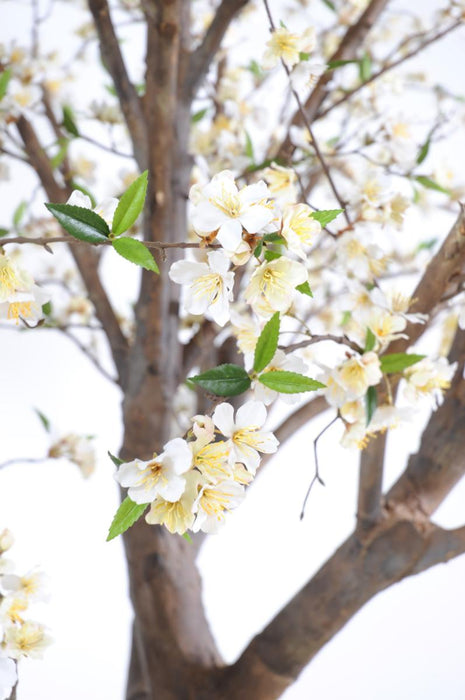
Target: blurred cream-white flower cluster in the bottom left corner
(19,637)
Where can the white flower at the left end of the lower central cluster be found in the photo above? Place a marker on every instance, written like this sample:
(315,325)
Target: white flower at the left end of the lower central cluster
(160,476)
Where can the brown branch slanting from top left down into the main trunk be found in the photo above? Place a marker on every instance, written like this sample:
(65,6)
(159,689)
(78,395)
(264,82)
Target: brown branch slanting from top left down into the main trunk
(113,61)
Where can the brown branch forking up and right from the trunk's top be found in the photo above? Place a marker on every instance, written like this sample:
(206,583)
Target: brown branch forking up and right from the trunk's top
(204,54)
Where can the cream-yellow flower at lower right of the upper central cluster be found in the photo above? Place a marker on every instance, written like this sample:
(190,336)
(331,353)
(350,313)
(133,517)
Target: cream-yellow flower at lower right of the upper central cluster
(275,283)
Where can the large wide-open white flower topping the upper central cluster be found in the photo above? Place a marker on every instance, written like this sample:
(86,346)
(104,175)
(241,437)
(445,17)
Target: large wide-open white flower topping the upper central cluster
(226,210)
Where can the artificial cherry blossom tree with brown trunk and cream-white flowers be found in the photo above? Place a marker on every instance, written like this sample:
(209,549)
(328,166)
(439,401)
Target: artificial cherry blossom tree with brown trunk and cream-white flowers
(264,199)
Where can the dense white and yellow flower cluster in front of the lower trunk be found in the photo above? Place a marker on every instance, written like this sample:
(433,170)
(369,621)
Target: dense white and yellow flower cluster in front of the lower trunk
(194,482)
